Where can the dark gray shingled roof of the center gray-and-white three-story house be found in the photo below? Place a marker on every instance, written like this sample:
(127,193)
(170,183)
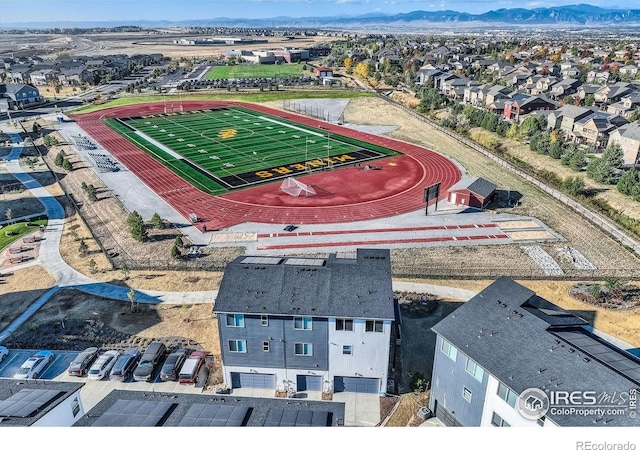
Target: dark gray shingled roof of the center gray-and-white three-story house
(335,286)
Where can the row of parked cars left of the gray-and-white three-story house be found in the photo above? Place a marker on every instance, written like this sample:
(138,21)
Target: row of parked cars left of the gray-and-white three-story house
(180,364)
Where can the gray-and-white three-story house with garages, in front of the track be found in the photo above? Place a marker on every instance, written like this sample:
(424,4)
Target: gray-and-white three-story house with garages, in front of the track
(315,324)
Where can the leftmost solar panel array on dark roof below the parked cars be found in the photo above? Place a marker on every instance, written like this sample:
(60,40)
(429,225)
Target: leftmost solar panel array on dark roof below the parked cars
(133,413)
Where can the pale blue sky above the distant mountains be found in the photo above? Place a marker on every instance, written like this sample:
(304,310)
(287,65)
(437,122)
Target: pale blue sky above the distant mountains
(12,11)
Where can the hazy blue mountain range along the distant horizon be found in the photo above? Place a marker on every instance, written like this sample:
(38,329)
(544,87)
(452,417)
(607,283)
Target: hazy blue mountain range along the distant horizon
(570,15)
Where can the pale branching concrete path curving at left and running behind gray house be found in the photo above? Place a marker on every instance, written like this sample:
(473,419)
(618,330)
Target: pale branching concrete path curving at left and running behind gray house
(67,277)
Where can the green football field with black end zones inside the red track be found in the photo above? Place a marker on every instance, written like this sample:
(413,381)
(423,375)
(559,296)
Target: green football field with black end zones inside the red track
(226,148)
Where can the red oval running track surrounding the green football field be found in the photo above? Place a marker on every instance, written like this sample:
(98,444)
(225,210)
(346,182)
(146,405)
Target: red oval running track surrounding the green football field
(345,194)
